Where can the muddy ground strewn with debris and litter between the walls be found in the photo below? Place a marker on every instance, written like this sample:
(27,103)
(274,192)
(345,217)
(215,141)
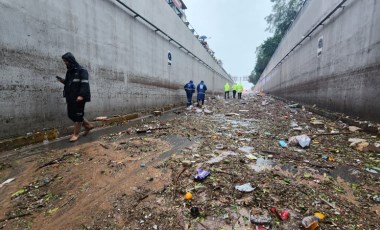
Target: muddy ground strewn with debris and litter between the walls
(138,178)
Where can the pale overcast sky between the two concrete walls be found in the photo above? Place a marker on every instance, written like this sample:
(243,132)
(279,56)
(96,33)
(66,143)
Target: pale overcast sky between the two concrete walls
(236,28)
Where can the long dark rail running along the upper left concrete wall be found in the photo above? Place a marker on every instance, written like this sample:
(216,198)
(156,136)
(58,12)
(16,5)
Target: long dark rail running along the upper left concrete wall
(170,39)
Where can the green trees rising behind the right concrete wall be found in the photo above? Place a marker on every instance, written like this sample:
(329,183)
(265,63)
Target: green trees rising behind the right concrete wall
(283,14)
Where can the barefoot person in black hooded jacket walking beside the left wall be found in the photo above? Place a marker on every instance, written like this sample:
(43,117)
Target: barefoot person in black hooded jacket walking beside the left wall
(77,93)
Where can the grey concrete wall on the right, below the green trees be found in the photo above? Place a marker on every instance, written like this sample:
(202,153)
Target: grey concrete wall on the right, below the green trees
(345,77)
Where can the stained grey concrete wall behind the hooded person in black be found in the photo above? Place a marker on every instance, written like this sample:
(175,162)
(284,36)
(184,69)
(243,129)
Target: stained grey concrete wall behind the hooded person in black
(125,57)
